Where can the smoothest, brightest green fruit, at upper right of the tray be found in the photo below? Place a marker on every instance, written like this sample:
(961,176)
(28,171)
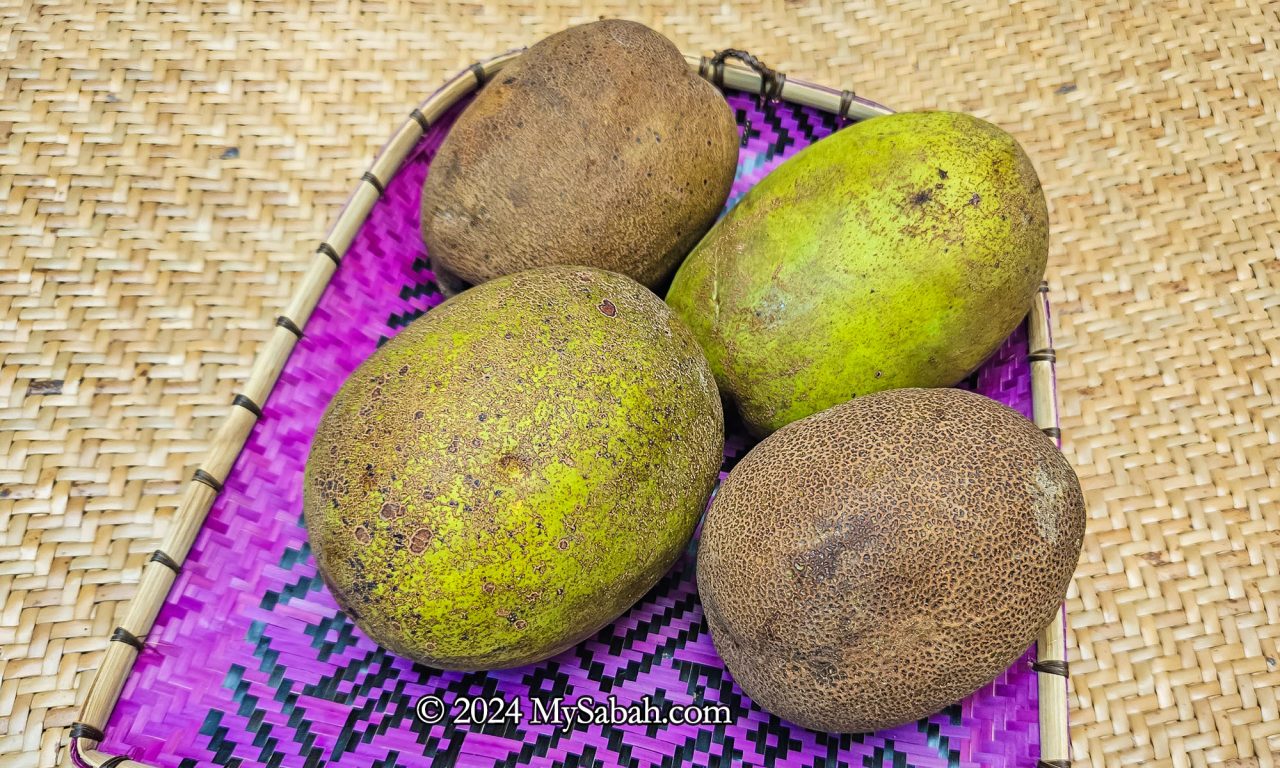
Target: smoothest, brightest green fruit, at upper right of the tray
(898,253)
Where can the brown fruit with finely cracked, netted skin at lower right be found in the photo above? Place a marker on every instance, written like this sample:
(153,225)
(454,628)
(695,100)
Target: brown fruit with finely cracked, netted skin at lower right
(872,564)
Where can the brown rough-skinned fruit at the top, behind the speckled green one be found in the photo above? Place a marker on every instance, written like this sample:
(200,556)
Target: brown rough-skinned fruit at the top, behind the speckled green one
(597,147)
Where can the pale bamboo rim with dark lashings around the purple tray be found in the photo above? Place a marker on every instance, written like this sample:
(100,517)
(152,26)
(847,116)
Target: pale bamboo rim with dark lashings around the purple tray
(163,568)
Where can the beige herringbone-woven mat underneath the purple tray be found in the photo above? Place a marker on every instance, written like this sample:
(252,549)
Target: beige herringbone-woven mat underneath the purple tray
(168,168)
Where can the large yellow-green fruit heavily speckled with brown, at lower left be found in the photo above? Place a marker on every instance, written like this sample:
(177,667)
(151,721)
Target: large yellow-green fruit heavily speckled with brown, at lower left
(515,469)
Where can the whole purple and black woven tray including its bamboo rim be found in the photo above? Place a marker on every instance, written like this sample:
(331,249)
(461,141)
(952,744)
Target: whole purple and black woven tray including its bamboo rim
(232,652)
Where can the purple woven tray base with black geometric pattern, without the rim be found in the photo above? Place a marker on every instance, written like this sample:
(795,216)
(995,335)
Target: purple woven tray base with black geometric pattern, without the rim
(252,664)
